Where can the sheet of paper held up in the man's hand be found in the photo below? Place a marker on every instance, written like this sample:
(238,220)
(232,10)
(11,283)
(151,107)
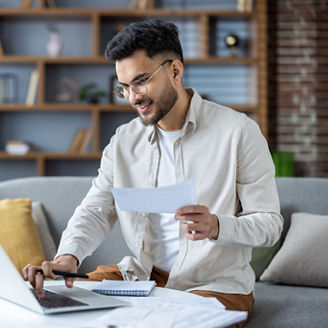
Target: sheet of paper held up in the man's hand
(156,200)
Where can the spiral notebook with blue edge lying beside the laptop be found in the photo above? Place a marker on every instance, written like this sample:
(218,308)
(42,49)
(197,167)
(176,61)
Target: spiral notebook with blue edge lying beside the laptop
(125,288)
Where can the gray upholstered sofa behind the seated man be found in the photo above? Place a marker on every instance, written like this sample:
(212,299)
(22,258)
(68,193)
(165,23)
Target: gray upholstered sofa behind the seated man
(276,306)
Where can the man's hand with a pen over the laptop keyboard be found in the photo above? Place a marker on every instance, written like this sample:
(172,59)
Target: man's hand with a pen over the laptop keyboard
(67,263)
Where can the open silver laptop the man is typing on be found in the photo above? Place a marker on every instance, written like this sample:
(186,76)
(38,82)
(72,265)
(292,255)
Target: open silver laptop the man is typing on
(58,299)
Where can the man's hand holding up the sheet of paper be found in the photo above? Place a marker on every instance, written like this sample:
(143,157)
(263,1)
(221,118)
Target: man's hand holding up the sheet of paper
(198,222)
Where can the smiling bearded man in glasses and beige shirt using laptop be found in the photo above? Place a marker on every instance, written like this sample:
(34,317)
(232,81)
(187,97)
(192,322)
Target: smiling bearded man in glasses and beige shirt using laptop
(203,249)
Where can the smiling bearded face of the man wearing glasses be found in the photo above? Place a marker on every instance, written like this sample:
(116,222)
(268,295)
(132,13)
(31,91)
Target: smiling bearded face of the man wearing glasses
(160,97)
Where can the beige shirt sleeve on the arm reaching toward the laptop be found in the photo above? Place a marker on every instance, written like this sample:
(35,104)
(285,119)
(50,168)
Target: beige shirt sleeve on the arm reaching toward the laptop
(94,218)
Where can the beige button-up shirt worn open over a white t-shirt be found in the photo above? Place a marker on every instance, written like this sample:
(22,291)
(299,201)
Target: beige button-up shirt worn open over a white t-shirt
(228,158)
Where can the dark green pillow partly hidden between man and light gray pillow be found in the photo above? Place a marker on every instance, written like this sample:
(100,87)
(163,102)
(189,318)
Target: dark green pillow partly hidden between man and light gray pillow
(261,258)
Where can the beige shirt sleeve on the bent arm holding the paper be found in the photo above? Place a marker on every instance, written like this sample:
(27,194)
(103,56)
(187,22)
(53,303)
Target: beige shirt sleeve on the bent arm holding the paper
(259,222)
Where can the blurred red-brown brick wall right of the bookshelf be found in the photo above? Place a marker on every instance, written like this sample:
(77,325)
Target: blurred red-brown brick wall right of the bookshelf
(298,82)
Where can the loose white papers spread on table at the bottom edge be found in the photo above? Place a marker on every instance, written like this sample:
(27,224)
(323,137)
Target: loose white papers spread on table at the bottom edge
(163,312)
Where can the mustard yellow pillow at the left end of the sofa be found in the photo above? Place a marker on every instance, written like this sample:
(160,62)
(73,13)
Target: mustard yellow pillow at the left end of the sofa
(18,234)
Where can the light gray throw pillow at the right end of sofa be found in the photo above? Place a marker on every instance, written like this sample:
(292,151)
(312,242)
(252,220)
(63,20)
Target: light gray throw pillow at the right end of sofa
(303,257)
